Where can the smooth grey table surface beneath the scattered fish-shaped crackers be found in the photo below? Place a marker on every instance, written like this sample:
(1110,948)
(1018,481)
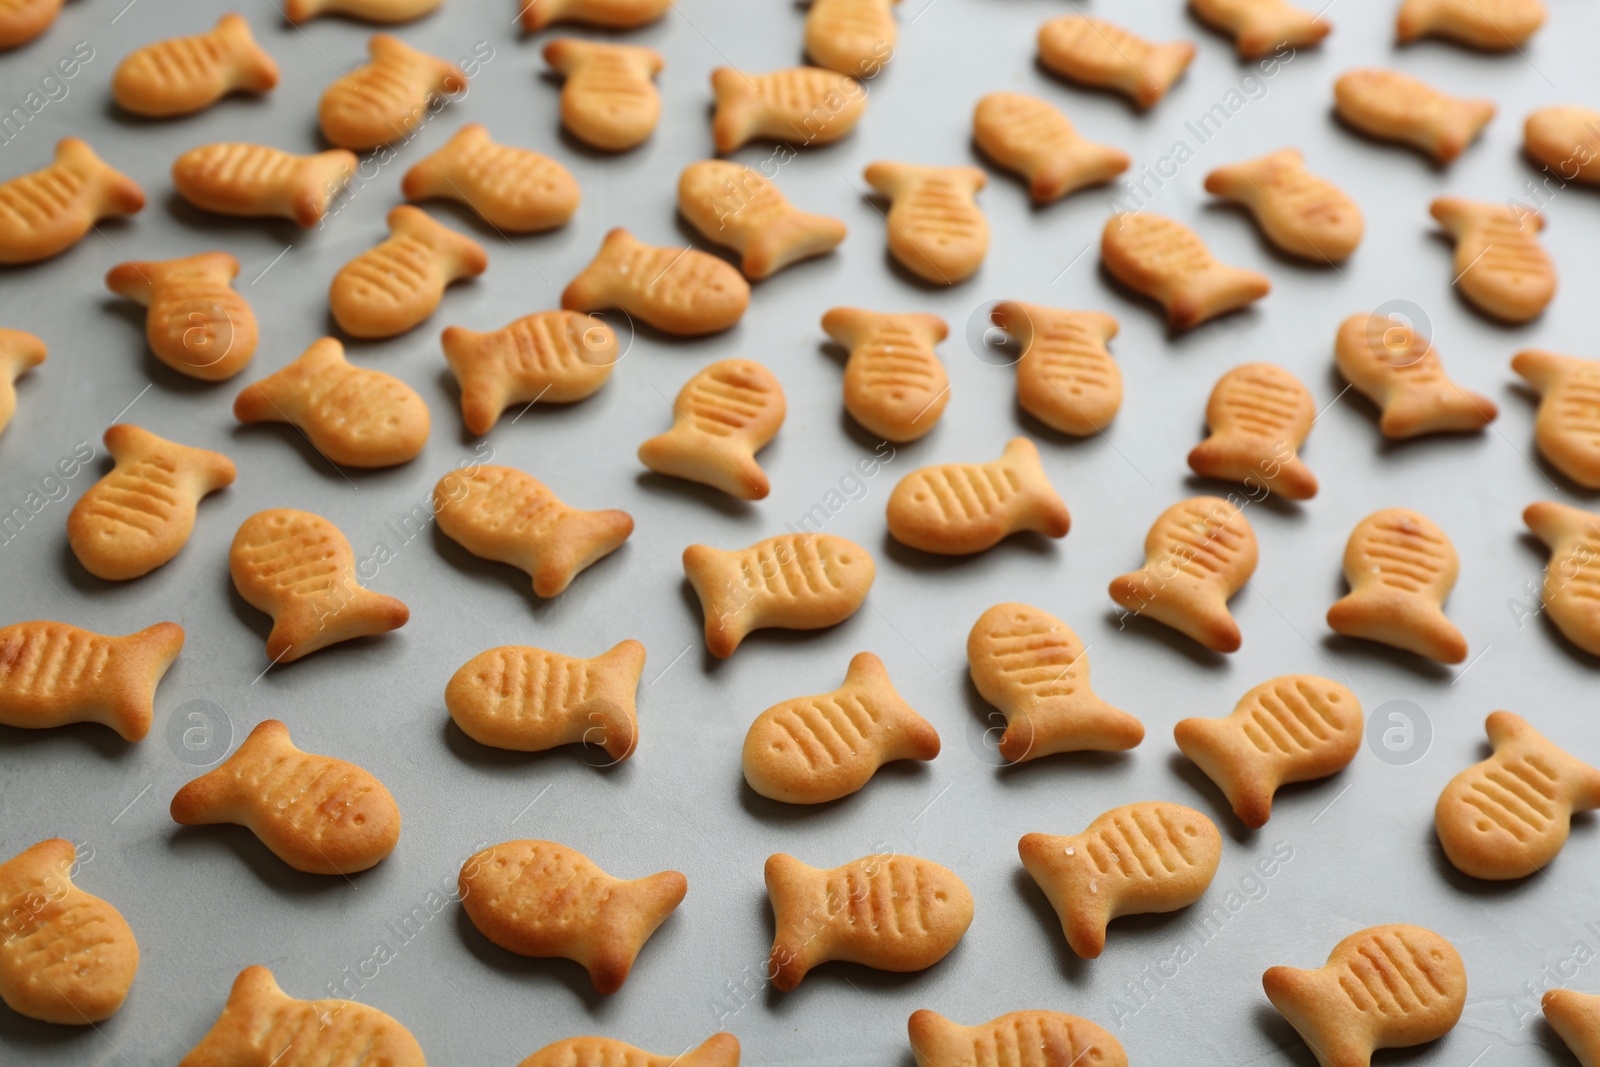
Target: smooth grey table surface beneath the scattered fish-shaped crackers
(1361,849)
